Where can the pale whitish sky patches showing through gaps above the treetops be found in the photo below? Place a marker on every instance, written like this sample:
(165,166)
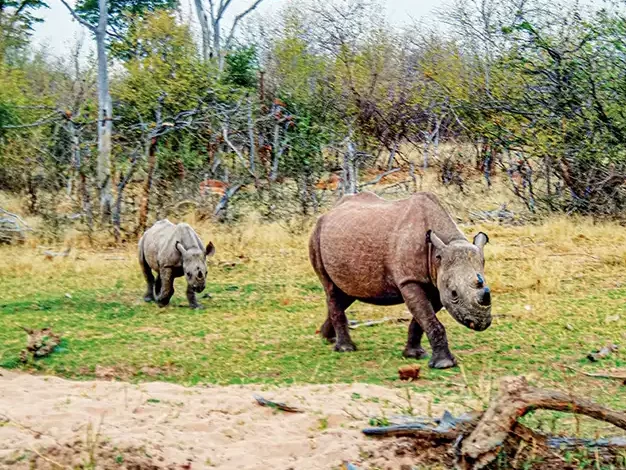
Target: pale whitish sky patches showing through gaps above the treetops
(58,31)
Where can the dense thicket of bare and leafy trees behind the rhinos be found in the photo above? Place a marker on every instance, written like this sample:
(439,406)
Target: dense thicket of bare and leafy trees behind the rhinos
(158,120)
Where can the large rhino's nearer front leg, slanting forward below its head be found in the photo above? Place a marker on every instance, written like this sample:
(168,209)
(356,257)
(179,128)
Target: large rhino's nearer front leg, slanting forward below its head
(424,315)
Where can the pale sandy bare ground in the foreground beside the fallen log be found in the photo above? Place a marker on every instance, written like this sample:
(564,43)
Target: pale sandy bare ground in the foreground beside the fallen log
(48,422)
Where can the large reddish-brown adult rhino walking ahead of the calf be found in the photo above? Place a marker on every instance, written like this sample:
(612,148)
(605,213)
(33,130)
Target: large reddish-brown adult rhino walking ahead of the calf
(392,252)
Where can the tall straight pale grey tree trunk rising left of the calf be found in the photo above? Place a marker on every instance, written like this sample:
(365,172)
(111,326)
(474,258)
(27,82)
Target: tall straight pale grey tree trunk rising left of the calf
(105,118)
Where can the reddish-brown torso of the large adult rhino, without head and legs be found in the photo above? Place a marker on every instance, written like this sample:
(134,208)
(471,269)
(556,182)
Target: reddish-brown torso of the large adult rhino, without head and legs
(370,246)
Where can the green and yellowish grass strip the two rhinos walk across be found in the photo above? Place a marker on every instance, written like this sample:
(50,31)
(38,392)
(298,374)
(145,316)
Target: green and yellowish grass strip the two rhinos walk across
(259,326)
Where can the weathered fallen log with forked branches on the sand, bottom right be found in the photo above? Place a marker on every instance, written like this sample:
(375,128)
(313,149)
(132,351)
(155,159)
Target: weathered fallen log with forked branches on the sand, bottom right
(476,439)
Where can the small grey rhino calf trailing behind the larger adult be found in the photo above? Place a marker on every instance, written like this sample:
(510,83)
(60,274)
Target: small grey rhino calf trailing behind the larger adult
(173,251)
